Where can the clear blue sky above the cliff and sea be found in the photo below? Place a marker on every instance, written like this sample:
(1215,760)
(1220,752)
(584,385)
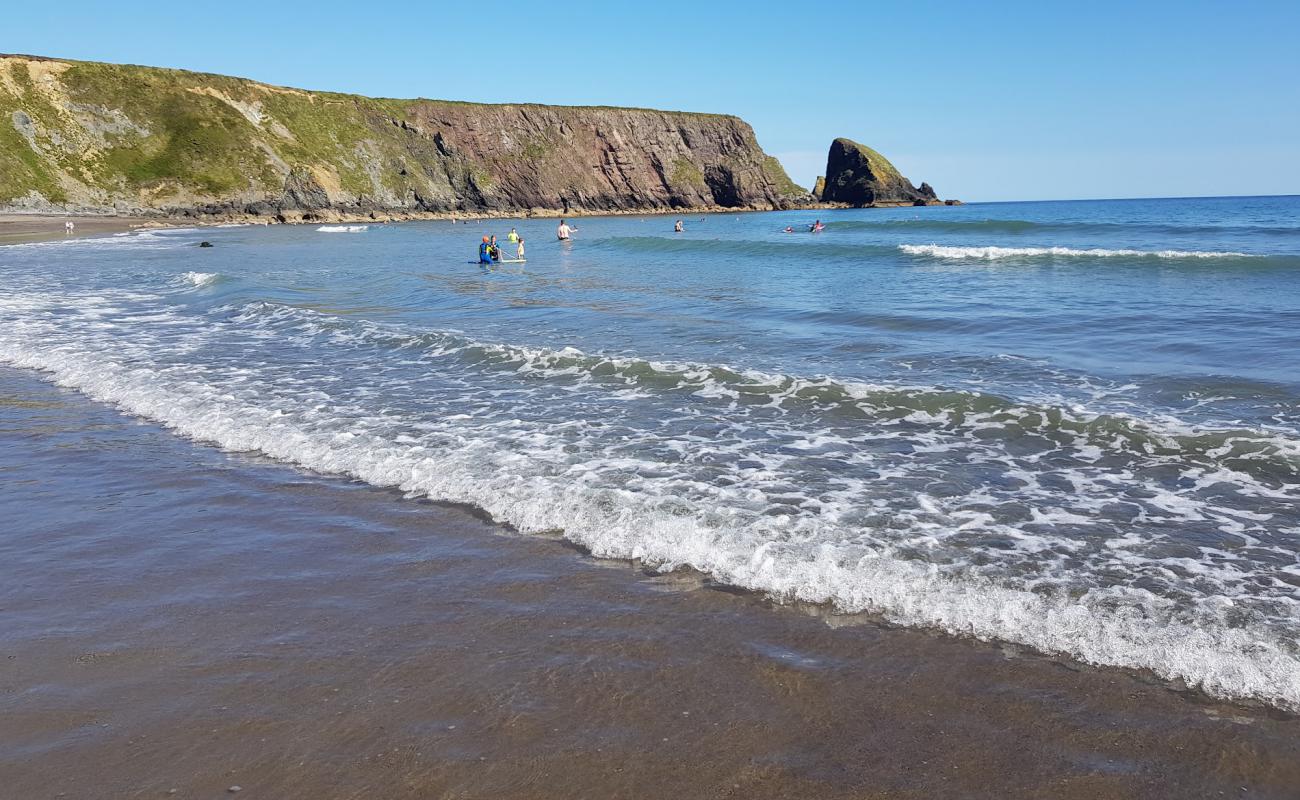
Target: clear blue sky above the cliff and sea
(985,101)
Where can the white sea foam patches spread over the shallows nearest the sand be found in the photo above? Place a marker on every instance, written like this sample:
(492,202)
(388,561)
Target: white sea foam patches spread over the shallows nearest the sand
(522,473)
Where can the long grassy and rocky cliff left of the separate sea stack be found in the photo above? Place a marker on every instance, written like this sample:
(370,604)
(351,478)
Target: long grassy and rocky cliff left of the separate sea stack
(92,137)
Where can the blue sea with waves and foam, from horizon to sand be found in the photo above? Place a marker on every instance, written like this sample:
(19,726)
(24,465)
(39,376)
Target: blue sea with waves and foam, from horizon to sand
(1069,426)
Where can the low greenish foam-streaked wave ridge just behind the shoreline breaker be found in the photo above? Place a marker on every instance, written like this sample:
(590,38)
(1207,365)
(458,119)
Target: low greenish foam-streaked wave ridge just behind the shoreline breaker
(1271,455)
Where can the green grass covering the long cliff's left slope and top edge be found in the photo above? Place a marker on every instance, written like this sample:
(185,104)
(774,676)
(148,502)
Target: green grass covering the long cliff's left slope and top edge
(148,135)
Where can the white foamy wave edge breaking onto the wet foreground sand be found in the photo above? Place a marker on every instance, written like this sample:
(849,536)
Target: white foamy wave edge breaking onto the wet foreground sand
(1126,628)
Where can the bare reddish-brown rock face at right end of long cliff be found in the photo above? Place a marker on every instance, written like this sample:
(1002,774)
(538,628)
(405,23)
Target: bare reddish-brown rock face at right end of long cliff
(597,159)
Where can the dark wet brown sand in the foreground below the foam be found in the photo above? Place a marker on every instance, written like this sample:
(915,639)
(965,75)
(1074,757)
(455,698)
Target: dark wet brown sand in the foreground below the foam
(177,619)
